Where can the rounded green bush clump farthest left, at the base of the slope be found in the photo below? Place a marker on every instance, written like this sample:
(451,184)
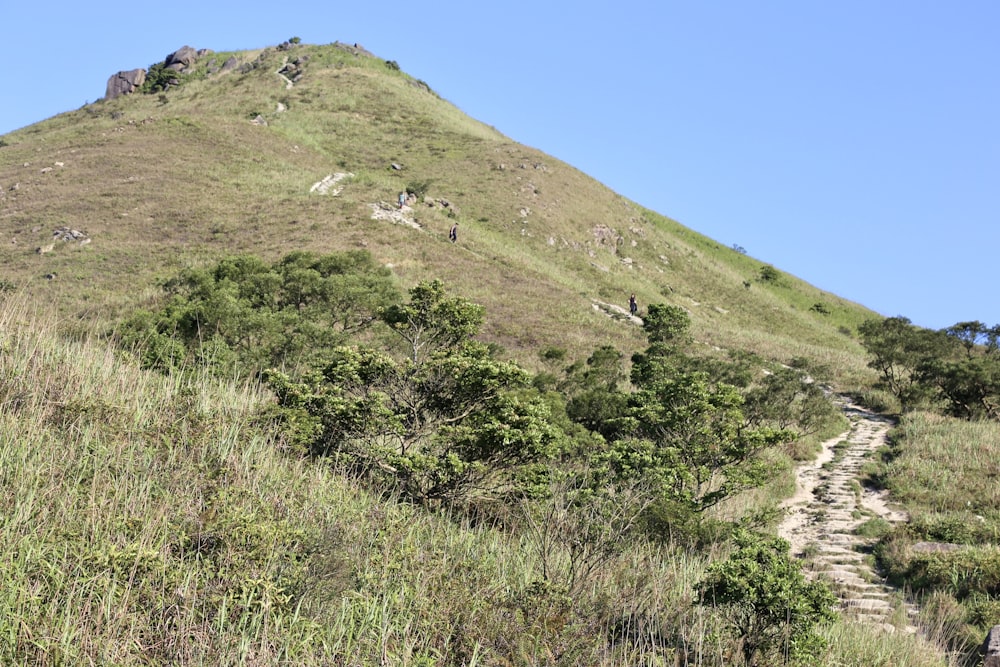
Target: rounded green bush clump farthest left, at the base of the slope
(244,315)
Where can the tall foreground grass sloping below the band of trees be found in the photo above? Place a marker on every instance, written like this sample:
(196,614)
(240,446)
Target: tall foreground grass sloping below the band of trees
(153,520)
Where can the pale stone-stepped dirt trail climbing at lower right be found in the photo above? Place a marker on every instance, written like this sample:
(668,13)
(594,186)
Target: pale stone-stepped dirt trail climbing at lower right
(829,505)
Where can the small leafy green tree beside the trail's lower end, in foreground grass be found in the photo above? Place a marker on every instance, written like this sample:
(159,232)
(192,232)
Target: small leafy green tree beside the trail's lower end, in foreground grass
(767,600)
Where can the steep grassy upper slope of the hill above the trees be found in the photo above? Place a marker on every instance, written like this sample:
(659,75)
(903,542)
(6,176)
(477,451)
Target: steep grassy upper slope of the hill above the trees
(227,162)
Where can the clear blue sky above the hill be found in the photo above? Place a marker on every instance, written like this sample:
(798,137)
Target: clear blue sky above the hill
(854,144)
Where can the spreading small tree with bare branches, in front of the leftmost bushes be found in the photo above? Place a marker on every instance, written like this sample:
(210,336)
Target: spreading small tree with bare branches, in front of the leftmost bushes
(441,420)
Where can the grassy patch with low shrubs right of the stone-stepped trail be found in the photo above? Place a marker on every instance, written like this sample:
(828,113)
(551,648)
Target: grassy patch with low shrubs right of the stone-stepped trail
(941,470)
